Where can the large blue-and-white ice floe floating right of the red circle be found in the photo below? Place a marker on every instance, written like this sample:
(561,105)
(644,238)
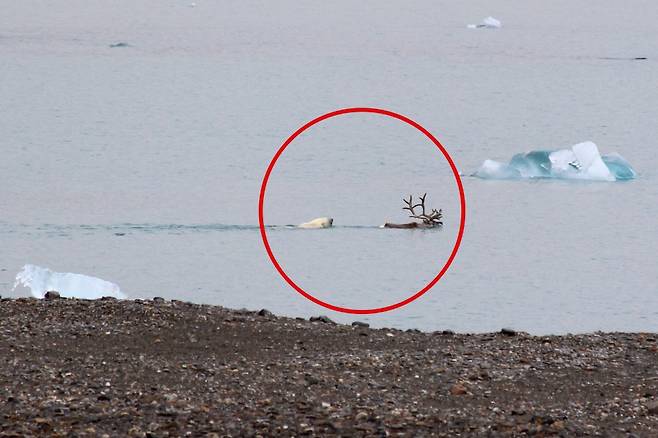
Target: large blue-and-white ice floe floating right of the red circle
(581,161)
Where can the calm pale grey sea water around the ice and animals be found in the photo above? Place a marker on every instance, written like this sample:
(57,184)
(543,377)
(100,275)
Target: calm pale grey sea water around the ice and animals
(141,164)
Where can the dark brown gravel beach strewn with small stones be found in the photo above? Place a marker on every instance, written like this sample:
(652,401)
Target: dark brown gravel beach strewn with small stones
(170,368)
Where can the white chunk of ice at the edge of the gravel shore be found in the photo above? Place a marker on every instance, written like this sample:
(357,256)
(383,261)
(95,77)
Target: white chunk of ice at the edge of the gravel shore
(41,280)
